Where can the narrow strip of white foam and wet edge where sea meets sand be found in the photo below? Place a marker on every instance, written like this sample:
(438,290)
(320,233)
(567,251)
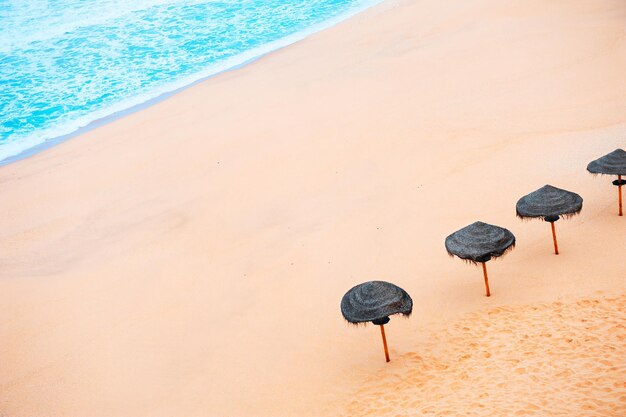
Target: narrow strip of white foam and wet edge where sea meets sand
(166,91)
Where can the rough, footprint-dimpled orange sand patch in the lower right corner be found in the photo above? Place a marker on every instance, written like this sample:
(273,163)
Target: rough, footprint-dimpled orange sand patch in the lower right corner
(557,359)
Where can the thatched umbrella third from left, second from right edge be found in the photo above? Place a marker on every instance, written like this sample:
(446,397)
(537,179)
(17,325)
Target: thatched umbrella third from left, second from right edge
(549,203)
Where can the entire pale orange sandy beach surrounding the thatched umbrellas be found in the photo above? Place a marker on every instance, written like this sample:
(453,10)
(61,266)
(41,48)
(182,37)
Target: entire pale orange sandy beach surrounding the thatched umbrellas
(189,259)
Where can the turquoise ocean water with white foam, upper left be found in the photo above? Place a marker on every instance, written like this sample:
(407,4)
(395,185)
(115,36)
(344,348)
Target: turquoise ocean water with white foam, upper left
(66,63)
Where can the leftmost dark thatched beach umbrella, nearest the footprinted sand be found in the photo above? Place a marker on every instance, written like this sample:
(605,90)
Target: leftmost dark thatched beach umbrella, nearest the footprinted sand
(375,301)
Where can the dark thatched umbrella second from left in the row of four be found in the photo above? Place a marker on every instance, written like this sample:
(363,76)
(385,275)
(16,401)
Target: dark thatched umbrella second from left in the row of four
(478,243)
